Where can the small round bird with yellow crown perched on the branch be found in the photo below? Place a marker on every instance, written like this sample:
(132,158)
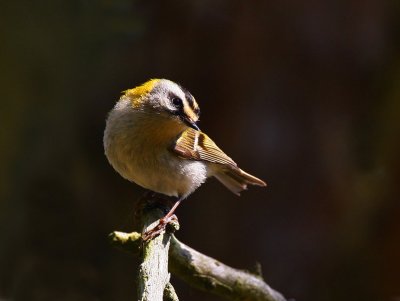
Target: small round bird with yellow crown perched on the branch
(151,138)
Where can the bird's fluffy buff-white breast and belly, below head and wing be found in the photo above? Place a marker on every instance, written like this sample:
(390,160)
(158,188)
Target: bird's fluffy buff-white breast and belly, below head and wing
(137,146)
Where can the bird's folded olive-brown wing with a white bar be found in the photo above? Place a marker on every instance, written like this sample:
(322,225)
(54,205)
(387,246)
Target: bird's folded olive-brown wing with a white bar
(196,145)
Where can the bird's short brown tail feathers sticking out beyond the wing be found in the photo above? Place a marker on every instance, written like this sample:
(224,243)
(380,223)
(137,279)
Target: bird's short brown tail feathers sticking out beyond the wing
(236,180)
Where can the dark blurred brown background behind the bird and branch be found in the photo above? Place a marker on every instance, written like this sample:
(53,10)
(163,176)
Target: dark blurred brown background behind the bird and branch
(303,94)
